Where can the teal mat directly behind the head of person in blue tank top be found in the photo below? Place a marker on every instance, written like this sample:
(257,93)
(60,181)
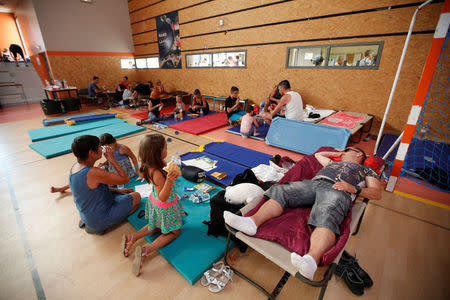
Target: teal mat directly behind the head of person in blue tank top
(61,145)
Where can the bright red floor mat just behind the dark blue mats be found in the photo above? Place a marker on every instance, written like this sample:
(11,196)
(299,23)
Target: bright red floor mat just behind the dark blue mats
(203,124)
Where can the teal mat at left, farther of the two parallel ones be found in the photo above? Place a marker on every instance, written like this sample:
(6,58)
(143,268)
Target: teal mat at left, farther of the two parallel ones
(64,129)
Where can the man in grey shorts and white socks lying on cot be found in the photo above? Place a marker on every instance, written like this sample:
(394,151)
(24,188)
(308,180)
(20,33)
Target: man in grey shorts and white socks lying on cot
(330,193)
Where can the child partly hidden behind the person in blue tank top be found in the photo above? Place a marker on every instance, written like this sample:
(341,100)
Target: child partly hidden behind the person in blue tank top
(122,154)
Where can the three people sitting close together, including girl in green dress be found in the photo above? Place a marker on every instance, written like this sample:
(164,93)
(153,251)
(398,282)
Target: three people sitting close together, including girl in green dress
(102,205)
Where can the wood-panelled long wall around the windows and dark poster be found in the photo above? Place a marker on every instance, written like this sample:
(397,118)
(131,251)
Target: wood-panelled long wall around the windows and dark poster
(355,90)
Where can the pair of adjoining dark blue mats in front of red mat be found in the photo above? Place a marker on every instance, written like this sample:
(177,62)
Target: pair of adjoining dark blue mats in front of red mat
(231,159)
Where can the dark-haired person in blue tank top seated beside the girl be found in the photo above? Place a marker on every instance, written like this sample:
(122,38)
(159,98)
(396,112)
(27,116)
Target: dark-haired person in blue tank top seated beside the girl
(100,207)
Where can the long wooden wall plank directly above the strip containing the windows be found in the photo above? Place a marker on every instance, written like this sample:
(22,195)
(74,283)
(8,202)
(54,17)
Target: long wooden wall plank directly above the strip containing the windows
(379,22)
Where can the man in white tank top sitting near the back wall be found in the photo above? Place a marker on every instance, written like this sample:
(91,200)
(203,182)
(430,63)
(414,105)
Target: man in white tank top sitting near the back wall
(290,101)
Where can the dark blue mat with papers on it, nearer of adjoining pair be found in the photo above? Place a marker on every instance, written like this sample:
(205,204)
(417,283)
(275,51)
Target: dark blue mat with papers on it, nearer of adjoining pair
(223,165)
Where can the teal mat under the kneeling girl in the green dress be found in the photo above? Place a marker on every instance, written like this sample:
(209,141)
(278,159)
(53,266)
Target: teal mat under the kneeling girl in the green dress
(193,251)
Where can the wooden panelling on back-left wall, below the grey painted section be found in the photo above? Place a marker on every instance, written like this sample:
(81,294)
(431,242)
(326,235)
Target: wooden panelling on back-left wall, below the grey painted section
(78,70)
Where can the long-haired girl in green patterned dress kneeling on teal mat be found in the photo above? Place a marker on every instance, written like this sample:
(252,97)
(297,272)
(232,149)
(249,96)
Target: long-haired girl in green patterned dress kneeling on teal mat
(163,208)
